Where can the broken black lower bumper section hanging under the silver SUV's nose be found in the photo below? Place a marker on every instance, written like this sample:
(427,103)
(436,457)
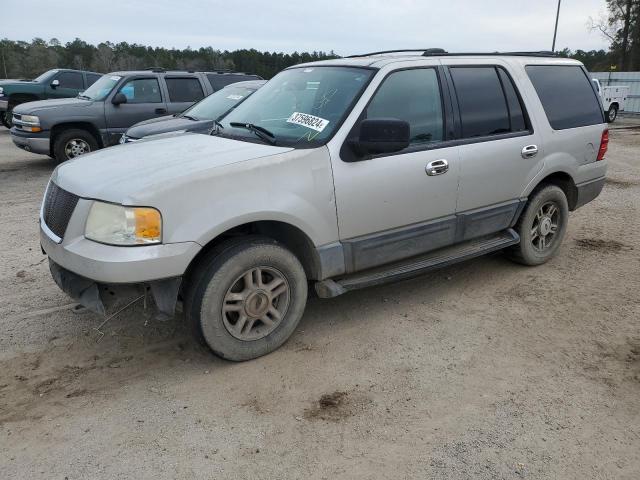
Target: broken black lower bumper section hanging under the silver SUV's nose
(100,297)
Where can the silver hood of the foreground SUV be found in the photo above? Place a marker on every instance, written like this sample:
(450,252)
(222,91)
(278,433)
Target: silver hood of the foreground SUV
(137,173)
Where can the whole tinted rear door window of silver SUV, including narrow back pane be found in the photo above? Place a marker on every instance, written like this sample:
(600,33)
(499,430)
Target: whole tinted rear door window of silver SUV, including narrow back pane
(488,102)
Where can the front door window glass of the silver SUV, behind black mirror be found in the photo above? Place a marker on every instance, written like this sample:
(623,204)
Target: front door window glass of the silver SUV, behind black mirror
(412,96)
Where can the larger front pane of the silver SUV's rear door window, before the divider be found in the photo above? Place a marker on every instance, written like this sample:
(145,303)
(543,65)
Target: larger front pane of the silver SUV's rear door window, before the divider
(481,100)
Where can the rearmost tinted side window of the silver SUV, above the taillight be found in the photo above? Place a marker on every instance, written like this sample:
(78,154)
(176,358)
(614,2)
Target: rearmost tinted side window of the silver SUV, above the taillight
(566,95)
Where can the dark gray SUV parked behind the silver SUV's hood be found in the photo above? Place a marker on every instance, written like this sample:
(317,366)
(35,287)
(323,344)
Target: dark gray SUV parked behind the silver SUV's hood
(97,118)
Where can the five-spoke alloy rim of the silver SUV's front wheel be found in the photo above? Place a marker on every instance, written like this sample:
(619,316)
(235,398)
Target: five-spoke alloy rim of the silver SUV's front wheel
(256,303)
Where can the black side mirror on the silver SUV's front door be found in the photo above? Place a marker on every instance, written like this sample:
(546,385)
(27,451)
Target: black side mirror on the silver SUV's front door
(381,135)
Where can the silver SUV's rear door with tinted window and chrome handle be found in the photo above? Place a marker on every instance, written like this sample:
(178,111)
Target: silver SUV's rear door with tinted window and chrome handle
(500,151)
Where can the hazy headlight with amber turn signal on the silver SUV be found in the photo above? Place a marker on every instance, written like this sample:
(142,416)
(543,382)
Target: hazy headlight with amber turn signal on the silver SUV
(118,225)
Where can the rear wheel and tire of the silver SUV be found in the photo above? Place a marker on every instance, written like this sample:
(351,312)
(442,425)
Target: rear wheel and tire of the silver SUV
(541,226)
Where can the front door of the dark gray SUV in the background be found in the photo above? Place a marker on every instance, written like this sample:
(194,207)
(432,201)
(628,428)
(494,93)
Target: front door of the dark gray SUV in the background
(144,101)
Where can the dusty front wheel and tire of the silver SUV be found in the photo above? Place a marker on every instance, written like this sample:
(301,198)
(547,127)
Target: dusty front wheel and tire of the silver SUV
(241,319)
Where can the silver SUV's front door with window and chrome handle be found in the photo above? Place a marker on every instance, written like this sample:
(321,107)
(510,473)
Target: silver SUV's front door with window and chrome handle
(399,205)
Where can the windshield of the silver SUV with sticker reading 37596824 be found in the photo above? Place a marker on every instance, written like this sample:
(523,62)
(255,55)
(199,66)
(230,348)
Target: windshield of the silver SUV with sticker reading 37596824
(301,107)
